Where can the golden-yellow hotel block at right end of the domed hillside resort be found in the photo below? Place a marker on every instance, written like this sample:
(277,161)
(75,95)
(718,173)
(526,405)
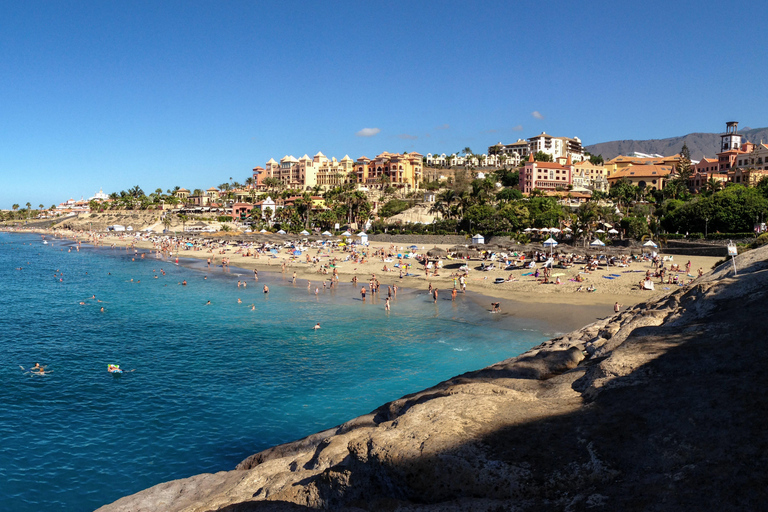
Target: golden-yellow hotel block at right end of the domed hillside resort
(400,169)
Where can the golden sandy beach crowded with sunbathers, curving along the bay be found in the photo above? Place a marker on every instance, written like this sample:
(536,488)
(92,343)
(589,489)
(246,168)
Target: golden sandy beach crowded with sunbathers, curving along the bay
(523,296)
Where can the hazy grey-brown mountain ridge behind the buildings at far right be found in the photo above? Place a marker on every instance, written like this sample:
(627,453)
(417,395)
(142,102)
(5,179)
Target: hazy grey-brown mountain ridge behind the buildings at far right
(700,144)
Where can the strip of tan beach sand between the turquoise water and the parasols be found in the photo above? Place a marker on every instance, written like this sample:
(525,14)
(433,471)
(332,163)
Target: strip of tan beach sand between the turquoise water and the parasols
(523,298)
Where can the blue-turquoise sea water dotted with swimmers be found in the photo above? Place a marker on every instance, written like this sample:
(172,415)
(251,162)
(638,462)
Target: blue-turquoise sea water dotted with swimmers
(212,384)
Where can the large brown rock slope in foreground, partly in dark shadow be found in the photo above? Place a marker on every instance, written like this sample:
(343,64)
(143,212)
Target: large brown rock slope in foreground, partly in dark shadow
(660,407)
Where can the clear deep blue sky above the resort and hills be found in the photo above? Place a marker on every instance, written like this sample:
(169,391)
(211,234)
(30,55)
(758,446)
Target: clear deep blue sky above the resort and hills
(102,94)
